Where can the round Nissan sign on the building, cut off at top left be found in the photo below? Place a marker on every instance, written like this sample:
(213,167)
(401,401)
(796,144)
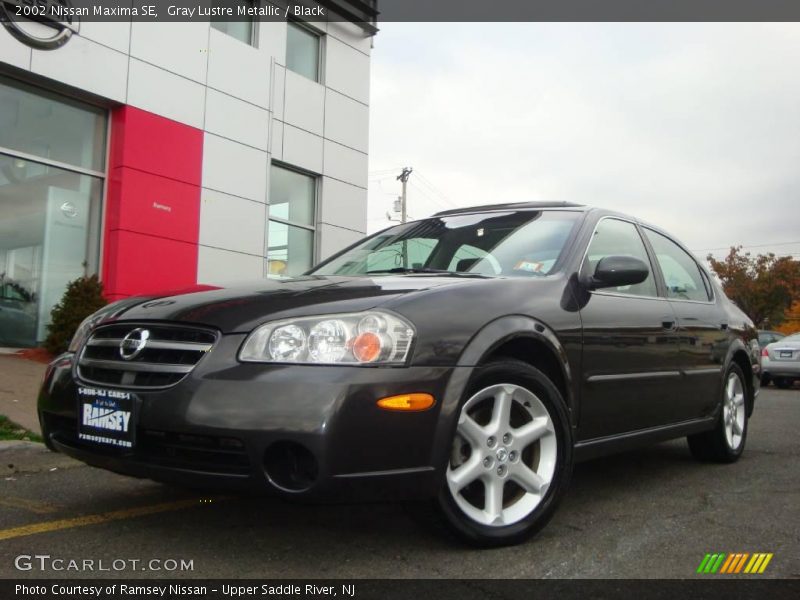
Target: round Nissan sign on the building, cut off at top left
(41,24)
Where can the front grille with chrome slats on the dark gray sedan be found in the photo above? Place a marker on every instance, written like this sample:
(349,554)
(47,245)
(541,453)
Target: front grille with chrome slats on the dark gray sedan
(169,355)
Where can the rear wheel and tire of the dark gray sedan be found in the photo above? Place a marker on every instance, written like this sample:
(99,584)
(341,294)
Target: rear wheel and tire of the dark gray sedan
(725,443)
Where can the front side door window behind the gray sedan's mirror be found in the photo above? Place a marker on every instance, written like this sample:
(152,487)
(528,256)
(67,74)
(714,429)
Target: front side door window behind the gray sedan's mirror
(613,237)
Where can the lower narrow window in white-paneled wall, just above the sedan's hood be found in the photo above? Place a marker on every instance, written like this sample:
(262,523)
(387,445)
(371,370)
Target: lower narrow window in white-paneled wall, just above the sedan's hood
(292,210)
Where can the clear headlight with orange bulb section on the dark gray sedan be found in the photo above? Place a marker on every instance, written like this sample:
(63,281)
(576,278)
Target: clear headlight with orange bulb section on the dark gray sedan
(374,338)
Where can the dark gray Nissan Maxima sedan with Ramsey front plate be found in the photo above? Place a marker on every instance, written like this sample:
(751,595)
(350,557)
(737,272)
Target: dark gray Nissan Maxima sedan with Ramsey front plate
(470,357)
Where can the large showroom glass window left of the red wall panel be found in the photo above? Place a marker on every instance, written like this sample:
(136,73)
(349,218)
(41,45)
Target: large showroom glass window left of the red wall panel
(52,153)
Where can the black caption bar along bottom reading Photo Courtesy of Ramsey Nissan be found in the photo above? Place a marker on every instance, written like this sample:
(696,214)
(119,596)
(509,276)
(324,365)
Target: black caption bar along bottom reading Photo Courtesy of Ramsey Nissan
(711,587)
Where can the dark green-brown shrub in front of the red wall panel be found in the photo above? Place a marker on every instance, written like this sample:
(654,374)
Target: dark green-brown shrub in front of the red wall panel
(83,297)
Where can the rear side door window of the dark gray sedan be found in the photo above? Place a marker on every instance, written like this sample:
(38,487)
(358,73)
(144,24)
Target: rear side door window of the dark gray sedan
(682,274)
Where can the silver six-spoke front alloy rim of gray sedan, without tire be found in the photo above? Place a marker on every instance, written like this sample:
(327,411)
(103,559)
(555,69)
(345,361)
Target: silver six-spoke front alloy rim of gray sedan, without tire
(504,455)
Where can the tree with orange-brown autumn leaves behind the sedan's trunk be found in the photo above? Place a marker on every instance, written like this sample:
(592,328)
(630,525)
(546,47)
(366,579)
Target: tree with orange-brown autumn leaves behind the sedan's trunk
(763,286)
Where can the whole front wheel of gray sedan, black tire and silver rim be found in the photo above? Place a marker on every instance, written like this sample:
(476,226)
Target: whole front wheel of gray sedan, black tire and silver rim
(511,456)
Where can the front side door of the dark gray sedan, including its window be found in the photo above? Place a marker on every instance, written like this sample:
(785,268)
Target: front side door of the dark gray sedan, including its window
(630,347)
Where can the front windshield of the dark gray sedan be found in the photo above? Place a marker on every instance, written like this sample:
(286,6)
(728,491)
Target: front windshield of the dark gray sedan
(518,243)
